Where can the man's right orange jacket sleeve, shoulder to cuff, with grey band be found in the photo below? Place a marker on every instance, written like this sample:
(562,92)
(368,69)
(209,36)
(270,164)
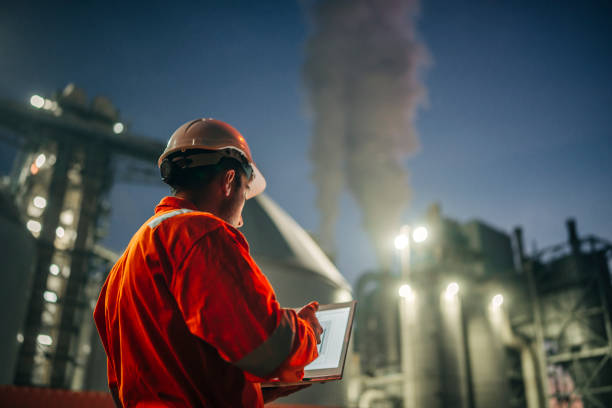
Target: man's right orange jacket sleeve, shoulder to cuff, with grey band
(227,302)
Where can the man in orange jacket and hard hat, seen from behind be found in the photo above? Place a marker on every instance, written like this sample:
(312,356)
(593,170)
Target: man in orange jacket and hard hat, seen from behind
(186,317)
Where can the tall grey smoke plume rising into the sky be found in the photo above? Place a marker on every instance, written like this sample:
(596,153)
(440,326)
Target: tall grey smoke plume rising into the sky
(361,73)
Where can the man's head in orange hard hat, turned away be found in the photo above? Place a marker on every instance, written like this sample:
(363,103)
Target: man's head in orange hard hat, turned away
(209,162)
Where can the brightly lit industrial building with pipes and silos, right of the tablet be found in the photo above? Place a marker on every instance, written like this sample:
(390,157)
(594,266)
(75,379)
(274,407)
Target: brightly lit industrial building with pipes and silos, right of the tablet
(480,323)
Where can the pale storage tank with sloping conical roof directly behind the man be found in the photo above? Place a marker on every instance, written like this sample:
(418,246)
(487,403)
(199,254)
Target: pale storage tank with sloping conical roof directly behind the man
(298,270)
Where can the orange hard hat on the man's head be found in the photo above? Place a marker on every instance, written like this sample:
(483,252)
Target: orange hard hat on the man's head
(214,135)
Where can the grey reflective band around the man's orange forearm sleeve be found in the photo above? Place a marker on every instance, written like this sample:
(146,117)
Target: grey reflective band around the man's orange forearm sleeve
(271,353)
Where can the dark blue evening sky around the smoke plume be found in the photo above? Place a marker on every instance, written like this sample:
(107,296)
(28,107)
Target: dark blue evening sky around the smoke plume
(516,130)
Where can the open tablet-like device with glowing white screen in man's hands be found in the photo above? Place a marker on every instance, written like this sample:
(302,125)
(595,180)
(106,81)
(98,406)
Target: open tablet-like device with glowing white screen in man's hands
(337,322)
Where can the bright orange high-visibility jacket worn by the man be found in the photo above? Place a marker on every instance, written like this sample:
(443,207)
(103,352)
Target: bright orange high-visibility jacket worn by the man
(187,319)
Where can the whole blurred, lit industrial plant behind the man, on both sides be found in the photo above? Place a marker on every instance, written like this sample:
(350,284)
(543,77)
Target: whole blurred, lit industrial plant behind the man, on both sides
(464,317)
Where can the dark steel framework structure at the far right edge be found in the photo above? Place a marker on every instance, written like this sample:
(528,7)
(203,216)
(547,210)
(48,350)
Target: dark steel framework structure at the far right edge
(570,293)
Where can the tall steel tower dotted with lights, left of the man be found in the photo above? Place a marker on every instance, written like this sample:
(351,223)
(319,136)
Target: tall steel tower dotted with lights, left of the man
(68,158)
